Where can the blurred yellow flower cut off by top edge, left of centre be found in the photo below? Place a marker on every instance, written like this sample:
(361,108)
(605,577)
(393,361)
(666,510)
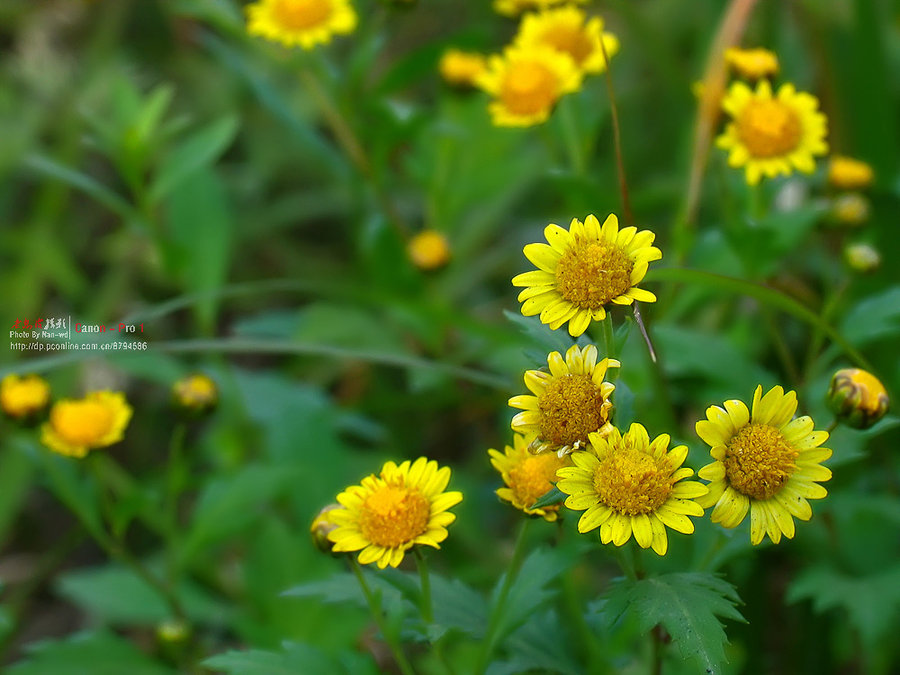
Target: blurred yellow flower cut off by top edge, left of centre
(300,22)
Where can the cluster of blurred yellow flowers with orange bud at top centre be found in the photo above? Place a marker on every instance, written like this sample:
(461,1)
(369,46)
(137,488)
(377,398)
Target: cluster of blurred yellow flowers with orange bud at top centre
(553,50)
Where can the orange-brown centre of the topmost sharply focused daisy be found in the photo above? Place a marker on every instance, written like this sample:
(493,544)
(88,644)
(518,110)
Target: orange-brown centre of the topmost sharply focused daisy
(591,275)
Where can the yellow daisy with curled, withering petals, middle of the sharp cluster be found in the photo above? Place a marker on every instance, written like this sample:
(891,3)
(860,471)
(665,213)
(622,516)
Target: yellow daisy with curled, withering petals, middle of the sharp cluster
(569,403)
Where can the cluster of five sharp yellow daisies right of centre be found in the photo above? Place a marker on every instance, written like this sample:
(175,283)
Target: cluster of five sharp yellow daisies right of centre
(765,461)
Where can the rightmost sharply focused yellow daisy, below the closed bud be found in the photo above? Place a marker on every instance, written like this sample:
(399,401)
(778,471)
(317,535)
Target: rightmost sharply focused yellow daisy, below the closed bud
(765,462)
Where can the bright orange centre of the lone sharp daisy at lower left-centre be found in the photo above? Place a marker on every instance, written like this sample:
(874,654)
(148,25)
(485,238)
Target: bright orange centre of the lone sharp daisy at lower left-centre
(393,515)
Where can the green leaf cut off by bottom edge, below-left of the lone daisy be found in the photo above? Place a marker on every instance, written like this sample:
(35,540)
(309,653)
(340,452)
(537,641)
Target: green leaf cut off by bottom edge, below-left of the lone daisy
(294,658)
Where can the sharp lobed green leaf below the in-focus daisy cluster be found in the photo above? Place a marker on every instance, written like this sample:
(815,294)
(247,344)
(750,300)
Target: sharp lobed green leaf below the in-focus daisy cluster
(687,605)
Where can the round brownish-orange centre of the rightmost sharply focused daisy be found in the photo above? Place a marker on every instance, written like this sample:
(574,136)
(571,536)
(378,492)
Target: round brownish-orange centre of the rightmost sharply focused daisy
(758,461)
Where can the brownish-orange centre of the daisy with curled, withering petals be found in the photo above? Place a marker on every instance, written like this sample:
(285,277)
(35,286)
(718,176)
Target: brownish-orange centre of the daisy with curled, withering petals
(571,407)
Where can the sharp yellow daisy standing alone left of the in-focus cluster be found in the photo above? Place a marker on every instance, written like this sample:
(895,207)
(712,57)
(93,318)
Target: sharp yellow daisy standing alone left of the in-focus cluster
(388,514)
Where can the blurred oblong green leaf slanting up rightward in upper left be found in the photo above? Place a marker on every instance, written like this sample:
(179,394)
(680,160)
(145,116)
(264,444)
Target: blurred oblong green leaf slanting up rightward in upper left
(200,150)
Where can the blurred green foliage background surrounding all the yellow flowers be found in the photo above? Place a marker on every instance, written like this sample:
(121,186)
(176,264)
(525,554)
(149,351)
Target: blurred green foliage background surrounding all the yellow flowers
(161,167)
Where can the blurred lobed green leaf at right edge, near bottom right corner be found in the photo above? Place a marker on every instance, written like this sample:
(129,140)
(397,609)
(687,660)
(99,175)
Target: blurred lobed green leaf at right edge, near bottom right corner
(870,602)
